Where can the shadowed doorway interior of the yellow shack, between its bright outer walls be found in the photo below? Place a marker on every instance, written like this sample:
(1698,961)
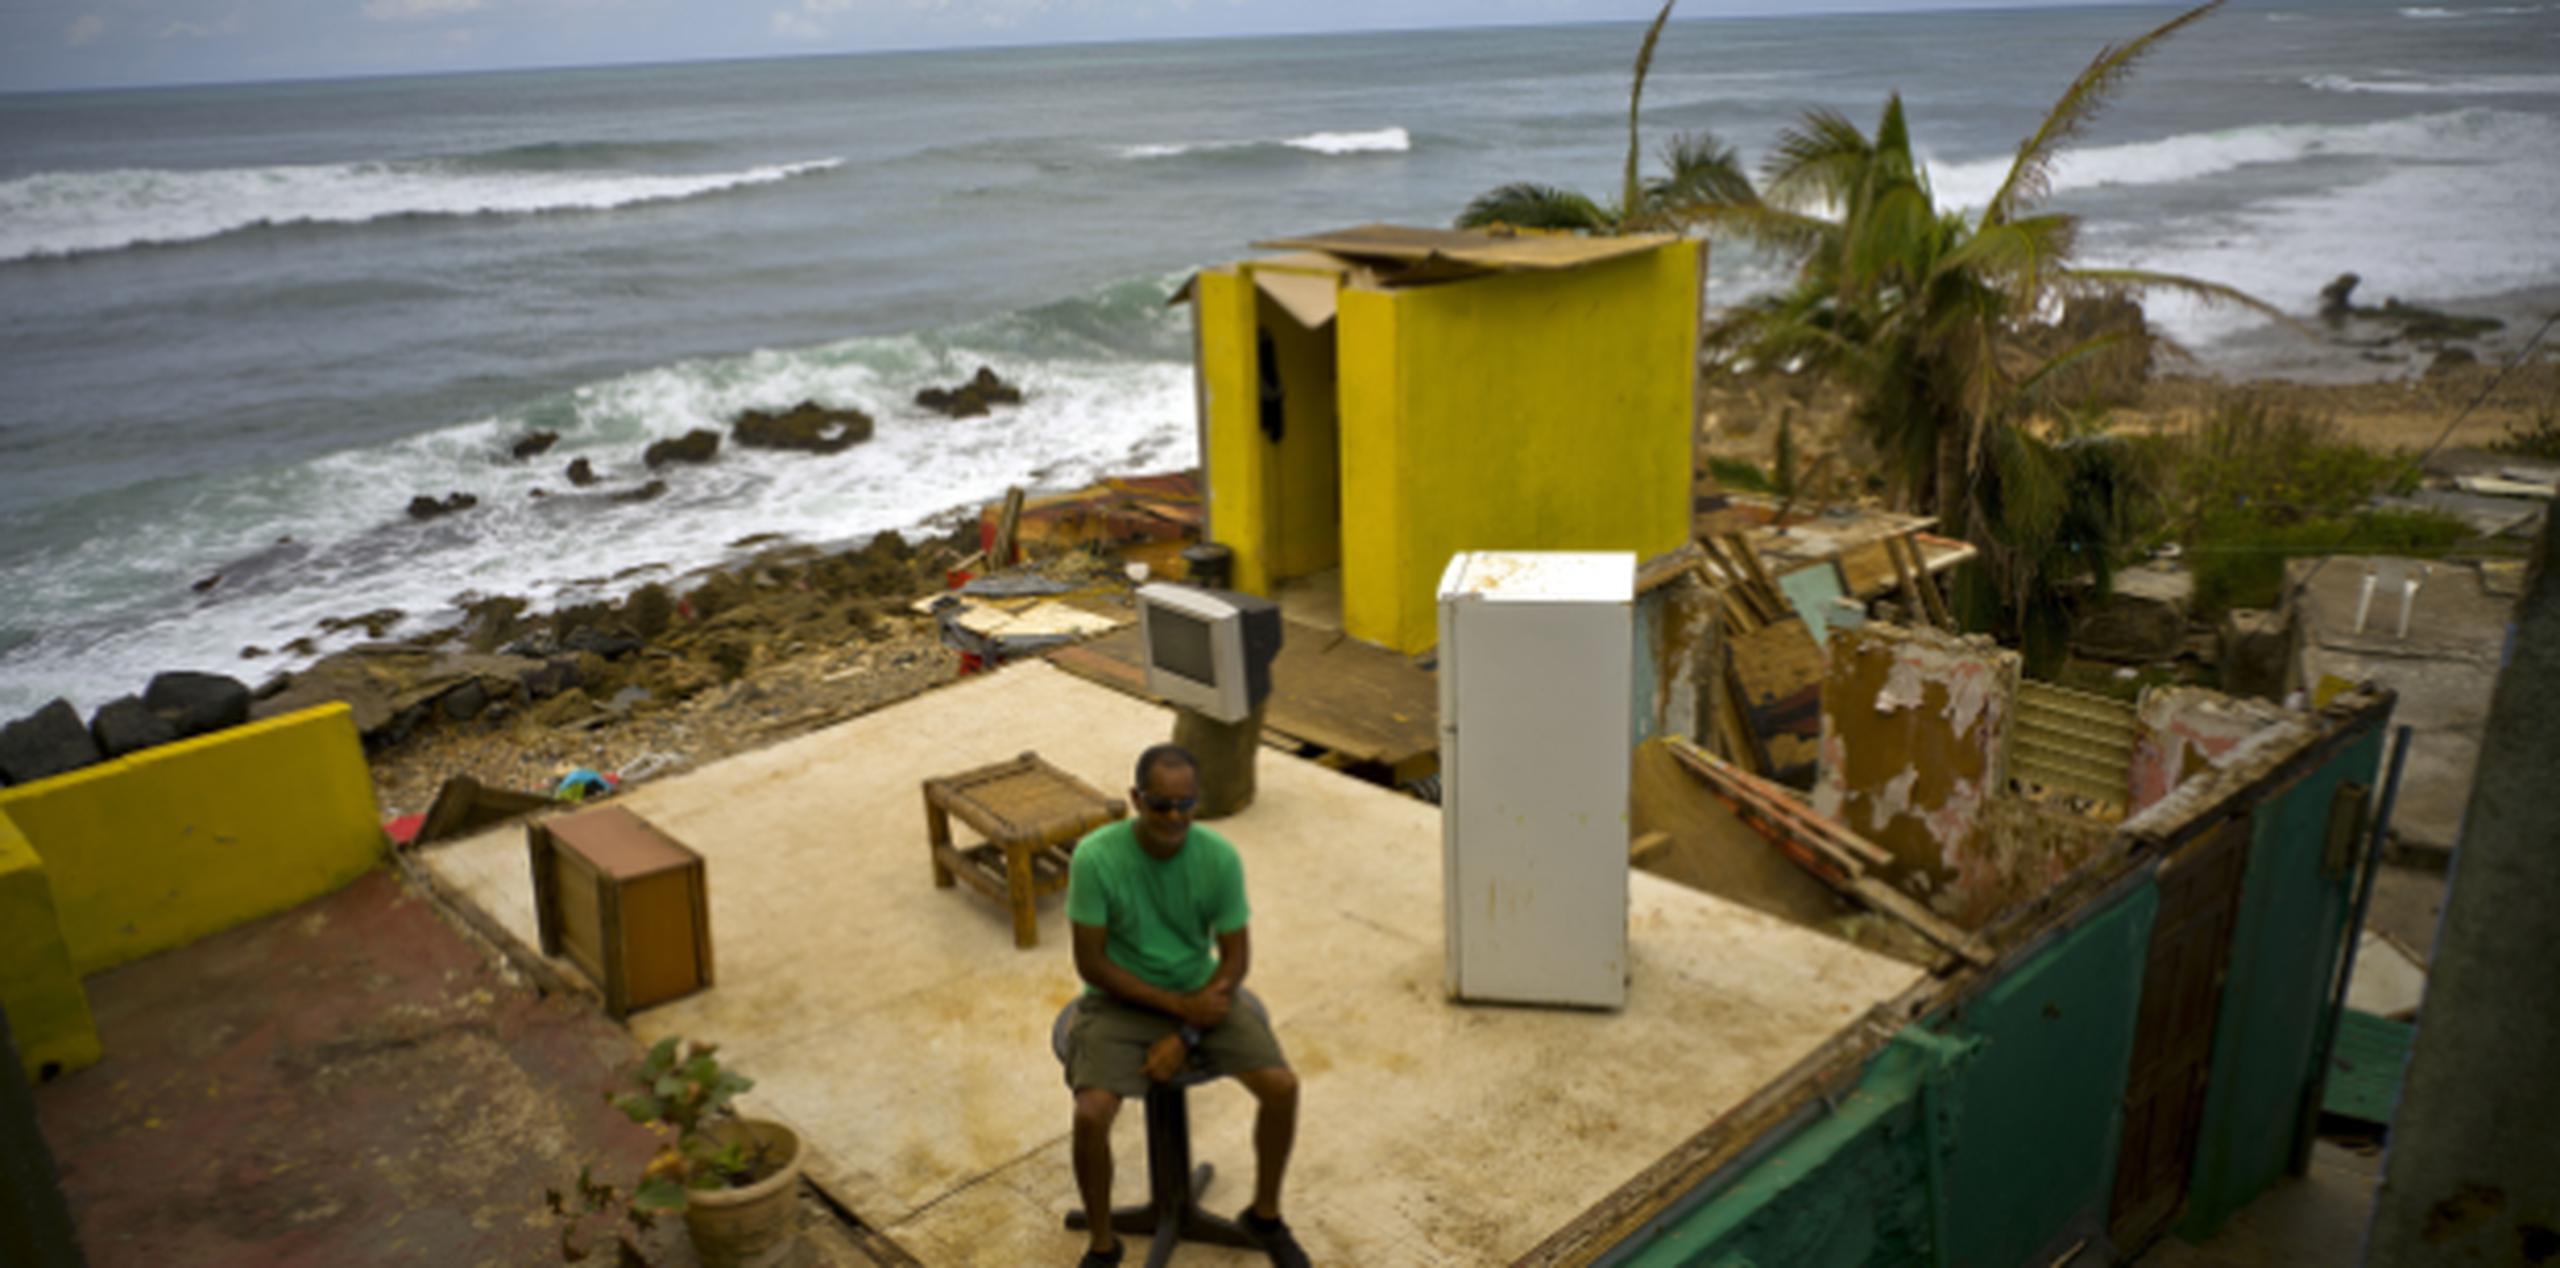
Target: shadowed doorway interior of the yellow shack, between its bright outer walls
(1307,462)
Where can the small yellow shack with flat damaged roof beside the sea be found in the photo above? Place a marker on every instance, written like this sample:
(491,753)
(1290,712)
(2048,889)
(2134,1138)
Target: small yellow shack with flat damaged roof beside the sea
(1381,398)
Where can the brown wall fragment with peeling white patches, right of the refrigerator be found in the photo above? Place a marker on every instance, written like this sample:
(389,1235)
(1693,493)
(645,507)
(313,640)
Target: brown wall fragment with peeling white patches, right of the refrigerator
(1914,731)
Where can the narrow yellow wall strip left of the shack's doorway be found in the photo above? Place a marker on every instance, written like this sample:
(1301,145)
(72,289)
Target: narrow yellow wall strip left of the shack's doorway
(1238,462)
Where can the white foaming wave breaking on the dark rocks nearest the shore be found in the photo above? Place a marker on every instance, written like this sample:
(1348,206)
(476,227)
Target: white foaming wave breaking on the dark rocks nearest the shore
(1107,391)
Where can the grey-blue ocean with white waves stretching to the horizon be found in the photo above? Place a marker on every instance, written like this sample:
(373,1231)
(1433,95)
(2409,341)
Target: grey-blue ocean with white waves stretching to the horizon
(244,327)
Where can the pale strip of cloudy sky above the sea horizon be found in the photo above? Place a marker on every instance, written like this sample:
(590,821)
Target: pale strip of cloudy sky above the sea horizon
(65,45)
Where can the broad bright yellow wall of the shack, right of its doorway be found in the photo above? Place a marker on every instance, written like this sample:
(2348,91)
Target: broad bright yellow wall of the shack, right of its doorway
(1537,411)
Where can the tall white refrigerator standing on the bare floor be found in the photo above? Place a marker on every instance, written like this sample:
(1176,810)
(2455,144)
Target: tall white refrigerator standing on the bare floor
(1535,713)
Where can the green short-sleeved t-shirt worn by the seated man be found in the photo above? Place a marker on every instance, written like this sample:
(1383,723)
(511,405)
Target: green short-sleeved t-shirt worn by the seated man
(1164,913)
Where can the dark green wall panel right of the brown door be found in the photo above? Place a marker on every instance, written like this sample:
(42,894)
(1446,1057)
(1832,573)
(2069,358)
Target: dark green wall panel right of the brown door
(2285,949)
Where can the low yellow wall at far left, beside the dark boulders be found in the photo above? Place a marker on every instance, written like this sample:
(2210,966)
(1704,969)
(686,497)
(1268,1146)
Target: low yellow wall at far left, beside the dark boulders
(191,839)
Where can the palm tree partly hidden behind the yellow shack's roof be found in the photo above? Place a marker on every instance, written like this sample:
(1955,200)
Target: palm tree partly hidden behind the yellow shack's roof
(1699,173)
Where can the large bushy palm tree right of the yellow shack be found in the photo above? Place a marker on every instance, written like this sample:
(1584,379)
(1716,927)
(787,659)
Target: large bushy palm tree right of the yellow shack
(1921,309)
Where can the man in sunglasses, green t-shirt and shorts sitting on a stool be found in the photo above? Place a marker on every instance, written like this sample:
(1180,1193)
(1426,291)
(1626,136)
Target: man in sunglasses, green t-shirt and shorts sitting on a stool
(1146,900)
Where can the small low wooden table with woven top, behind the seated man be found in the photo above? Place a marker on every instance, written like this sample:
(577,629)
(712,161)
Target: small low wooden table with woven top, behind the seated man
(1030,816)
